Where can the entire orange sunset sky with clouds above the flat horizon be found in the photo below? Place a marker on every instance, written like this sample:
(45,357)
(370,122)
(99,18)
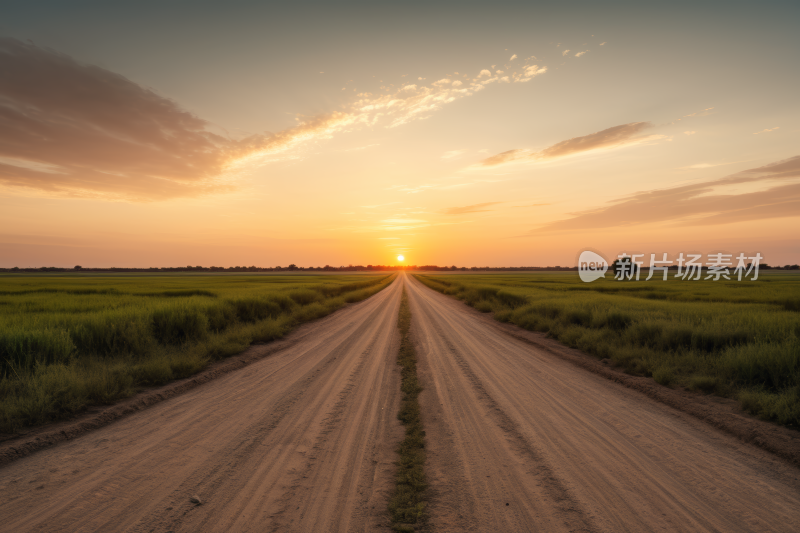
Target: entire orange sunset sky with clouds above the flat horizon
(500,134)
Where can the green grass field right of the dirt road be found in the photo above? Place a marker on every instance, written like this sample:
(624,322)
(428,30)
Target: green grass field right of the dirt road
(731,338)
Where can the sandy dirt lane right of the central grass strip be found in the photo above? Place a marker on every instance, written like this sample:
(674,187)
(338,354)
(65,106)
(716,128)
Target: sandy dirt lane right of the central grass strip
(520,439)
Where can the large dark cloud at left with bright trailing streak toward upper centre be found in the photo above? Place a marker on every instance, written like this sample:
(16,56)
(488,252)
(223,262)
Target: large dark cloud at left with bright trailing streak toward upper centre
(75,130)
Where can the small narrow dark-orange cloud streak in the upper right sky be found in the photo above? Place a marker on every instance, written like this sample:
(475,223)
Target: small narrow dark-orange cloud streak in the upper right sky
(616,137)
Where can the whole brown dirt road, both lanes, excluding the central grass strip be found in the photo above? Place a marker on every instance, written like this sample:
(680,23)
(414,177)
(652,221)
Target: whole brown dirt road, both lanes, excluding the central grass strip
(304,440)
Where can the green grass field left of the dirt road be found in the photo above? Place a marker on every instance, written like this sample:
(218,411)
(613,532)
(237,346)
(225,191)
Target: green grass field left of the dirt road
(70,341)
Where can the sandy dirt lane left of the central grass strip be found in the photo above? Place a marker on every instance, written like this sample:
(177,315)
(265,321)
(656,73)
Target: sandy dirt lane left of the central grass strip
(303,440)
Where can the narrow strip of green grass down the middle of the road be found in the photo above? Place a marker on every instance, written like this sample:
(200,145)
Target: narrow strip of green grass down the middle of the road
(407,505)
